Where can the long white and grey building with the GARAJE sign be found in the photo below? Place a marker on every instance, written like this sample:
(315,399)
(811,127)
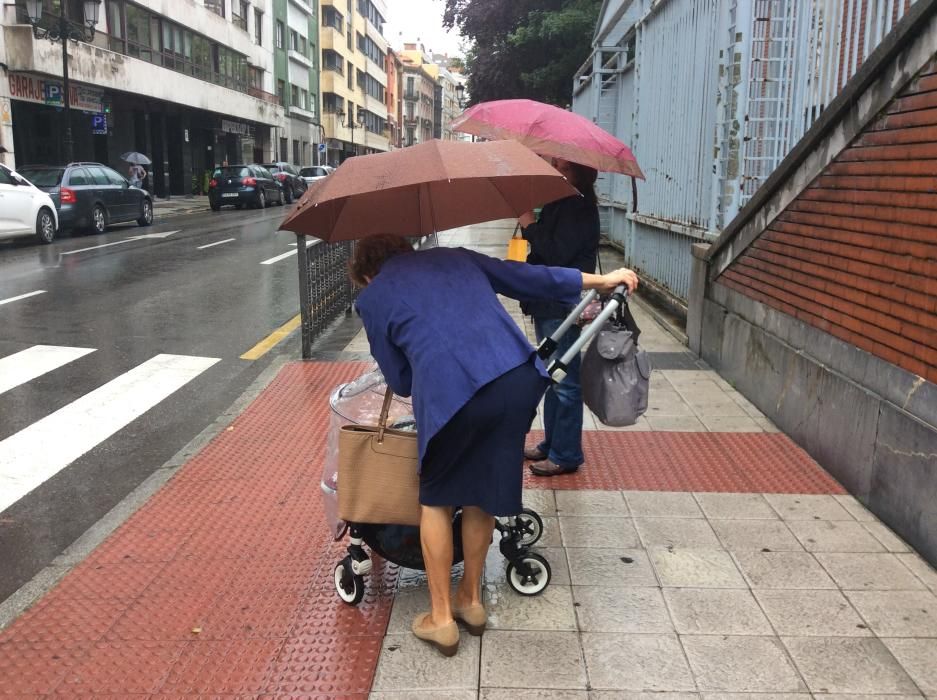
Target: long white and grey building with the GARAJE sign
(189,83)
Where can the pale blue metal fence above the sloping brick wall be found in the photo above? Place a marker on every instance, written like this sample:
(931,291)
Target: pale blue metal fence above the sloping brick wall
(712,95)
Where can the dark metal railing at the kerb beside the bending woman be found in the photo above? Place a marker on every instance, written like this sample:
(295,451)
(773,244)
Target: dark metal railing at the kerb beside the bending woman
(325,289)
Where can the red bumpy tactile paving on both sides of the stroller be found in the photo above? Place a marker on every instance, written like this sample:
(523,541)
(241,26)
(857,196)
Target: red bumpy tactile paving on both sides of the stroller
(222,583)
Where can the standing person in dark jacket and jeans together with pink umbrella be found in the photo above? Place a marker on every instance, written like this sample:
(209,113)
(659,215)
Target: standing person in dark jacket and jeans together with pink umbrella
(565,234)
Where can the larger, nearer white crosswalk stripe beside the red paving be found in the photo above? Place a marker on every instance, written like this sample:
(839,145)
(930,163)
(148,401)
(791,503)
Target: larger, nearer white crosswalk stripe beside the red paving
(37,453)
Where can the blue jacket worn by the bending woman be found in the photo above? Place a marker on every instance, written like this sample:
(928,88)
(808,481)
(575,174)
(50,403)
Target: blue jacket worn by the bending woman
(439,332)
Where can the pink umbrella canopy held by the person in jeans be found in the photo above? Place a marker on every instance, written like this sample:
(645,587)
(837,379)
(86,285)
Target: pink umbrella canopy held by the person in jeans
(549,131)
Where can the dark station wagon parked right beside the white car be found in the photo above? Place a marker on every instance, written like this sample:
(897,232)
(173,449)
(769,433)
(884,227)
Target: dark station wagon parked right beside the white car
(91,195)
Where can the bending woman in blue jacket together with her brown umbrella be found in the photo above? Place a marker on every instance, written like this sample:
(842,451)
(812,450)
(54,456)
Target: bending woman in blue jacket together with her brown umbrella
(439,333)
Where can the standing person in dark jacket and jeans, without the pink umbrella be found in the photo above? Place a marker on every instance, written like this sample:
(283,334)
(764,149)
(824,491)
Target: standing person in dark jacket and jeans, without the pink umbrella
(567,235)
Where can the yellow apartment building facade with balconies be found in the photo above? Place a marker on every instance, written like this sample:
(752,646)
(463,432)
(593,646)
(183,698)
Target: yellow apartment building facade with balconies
(353,77)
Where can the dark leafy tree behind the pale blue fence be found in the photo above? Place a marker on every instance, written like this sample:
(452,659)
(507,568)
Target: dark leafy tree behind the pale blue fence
(523,48)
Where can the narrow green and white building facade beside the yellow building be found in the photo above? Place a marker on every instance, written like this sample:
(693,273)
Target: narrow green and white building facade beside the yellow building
(295,32)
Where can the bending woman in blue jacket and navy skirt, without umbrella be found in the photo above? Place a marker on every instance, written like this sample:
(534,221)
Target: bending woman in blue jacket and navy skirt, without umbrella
(440,334)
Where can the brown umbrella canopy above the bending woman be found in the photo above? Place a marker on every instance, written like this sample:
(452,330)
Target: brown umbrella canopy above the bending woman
(422,189)
